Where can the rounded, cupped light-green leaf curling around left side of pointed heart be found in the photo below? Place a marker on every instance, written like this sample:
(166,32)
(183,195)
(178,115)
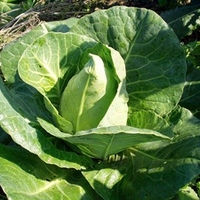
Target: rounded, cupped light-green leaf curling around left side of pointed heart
(49,63)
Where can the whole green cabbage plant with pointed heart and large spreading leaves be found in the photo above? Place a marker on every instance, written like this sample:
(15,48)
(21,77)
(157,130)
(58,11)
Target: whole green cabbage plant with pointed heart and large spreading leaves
(91,106)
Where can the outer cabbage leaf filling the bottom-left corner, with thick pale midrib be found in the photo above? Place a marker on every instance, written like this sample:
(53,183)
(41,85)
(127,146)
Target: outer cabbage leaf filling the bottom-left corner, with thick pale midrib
(27,177)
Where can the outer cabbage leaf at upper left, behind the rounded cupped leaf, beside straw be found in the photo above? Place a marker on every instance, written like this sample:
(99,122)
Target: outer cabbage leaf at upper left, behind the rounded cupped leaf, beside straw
(9,62)
